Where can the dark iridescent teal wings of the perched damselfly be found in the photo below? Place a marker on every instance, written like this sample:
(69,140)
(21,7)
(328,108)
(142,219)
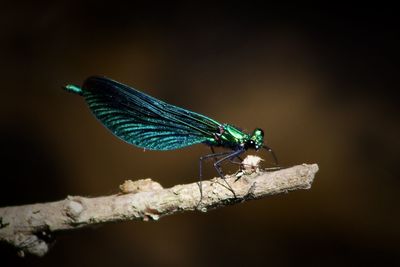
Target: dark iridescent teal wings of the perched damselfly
(142,120)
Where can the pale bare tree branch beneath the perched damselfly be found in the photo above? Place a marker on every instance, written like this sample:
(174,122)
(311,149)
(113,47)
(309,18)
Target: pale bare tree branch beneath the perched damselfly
(26,227)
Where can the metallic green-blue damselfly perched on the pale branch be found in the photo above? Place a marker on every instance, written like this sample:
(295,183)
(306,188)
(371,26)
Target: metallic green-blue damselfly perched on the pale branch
(149,123)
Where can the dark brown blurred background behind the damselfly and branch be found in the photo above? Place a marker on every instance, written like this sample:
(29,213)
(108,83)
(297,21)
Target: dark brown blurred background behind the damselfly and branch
(320,81)
